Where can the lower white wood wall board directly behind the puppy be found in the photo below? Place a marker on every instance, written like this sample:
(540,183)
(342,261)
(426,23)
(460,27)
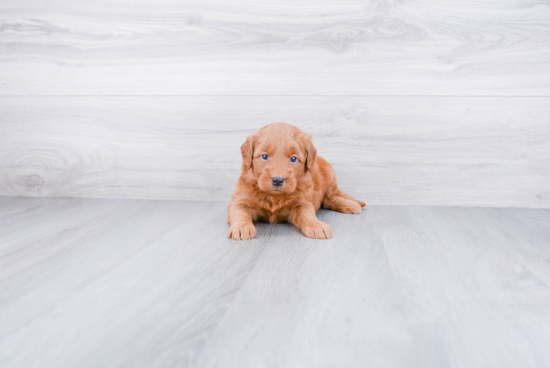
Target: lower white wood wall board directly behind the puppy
(467,151)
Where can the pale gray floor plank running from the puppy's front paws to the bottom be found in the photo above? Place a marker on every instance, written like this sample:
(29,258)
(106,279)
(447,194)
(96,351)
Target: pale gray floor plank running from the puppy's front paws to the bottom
(308,303)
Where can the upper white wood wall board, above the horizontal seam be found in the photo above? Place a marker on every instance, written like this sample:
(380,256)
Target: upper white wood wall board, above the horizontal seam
(311,47)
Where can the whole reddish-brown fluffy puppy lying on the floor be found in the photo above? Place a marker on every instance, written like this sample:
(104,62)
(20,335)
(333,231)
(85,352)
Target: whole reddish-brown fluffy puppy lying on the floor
(283,179)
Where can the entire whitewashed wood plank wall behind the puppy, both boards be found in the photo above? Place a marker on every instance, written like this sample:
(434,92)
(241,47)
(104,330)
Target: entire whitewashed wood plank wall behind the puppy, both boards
(414,102)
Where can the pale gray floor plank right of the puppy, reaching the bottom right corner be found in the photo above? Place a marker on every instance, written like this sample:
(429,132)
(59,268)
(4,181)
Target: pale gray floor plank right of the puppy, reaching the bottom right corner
(462,269)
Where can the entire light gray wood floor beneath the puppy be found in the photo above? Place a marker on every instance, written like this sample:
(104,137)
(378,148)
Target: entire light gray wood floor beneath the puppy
(134,283)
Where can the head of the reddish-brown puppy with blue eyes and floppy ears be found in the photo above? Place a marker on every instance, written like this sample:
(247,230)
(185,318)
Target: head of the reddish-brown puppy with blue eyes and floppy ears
(277,156)
